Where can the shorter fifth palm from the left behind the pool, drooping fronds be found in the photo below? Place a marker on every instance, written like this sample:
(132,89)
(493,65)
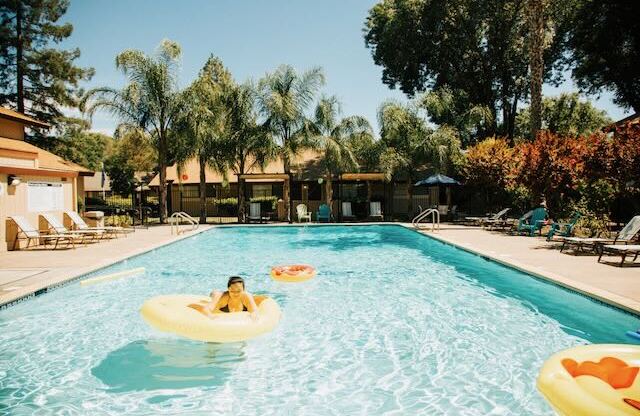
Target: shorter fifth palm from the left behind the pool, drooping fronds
(332,139)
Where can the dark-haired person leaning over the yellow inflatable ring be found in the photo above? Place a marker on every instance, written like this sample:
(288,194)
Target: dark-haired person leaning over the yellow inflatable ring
(234,299)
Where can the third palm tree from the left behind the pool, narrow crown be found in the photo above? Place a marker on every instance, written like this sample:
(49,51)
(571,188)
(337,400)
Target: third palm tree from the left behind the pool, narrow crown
(245,144)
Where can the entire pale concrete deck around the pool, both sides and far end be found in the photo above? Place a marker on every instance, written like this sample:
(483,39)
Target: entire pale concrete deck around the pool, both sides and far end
(23,273)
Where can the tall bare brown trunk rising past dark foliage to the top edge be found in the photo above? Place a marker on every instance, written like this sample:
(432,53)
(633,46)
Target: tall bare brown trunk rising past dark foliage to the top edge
(535,15)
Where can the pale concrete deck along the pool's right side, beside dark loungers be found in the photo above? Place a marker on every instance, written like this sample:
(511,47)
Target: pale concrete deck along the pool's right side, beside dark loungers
(619,286)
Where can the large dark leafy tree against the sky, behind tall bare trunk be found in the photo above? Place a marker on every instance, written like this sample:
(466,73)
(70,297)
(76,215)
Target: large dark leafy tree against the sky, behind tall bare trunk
(473,46)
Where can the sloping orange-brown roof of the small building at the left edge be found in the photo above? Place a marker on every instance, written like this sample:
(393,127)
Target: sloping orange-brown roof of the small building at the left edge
(47,161)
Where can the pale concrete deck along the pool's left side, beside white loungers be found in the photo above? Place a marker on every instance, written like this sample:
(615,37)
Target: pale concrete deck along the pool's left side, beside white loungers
(27,271)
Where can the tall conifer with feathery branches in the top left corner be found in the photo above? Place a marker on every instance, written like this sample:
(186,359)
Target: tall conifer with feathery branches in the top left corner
(36,78)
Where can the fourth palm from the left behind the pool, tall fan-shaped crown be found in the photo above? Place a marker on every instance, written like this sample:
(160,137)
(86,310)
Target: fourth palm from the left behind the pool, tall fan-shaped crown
(284,97)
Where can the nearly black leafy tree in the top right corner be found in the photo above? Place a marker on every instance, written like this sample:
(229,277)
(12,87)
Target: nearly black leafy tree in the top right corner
(604,37)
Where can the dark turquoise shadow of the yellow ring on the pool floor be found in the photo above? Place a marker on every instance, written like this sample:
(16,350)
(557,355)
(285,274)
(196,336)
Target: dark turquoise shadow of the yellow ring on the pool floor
(168,364)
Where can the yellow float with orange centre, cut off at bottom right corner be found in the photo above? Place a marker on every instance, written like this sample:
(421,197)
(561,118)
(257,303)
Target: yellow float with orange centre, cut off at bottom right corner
(593,380)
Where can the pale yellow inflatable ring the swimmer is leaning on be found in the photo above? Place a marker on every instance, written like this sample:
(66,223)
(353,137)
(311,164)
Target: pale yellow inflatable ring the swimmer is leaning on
(171,313)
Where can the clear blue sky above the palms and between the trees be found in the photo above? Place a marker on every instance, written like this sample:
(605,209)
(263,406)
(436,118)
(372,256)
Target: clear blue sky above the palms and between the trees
(251,37)
